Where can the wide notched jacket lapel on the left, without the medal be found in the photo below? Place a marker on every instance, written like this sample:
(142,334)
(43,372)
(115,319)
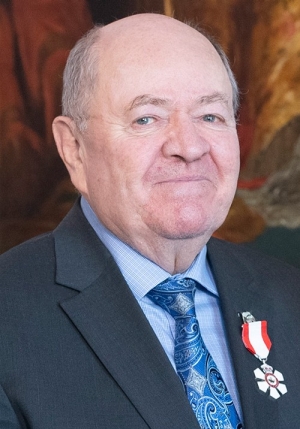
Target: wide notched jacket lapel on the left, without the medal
(111,321)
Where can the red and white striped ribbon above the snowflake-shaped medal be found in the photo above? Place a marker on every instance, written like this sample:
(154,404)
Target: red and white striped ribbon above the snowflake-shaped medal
(256,339)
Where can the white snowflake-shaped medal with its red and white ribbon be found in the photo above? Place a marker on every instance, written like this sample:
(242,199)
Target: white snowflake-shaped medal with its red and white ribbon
(256,340)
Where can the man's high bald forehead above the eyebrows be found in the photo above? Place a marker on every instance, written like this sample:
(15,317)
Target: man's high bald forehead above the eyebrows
(166,56)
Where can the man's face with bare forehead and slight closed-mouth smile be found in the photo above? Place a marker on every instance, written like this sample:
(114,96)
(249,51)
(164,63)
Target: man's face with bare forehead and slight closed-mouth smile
(161,153)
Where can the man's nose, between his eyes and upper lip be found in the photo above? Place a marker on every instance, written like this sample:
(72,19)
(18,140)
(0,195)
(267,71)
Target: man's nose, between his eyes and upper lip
(185,140)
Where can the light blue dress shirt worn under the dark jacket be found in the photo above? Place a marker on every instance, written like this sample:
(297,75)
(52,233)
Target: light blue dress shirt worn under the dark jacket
(142,275)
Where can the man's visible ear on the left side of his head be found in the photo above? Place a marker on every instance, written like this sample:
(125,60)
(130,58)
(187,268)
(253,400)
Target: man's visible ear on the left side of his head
(70,148)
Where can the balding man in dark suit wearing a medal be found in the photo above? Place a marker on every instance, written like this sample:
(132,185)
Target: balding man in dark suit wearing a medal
(149,138)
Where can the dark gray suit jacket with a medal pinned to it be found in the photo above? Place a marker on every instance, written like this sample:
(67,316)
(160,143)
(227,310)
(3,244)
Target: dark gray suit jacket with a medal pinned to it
(76,351)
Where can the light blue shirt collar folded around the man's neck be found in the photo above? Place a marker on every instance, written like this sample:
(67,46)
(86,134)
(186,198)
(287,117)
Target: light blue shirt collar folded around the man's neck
(140,273)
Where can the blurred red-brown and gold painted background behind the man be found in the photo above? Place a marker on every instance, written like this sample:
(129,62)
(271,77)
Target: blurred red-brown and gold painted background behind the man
(262,41)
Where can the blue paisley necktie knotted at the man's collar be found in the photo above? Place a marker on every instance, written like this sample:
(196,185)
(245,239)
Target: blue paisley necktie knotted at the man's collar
(203,383)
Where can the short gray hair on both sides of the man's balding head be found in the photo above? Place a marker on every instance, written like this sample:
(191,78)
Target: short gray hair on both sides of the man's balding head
(81,76)
